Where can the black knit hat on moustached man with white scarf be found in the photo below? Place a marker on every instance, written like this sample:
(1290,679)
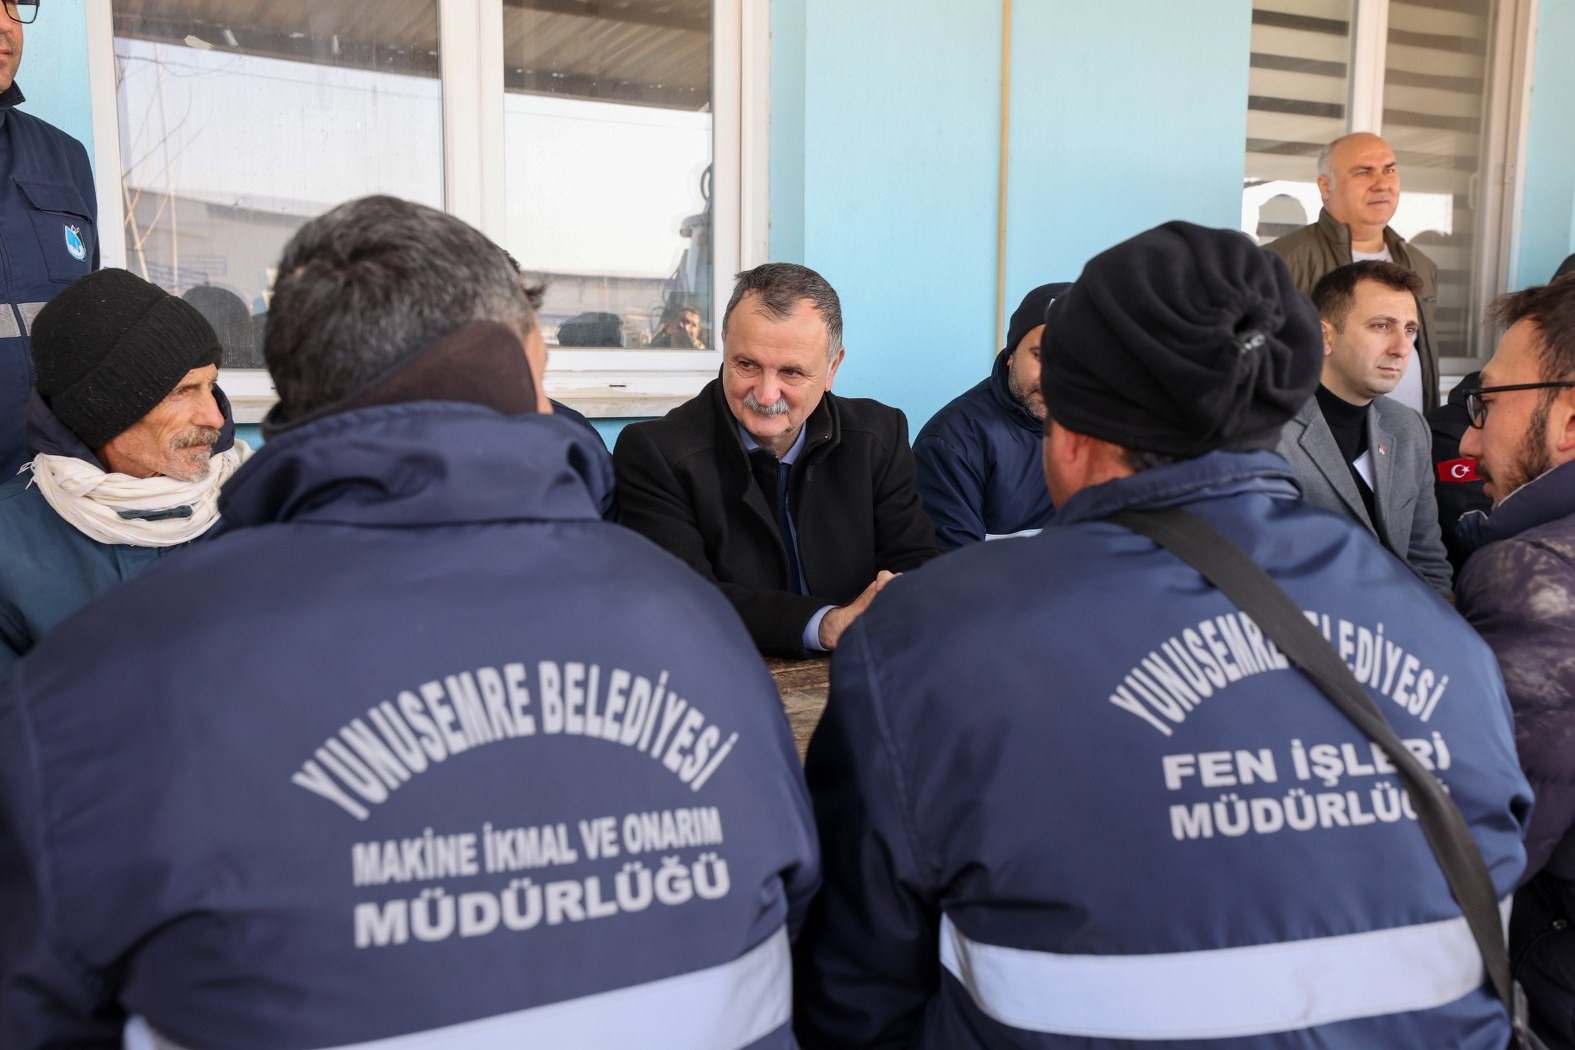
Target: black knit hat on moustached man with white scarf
(111,347)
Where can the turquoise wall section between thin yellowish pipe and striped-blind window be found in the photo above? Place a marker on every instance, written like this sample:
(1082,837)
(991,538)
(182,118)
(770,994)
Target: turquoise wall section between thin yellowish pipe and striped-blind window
(1116,131)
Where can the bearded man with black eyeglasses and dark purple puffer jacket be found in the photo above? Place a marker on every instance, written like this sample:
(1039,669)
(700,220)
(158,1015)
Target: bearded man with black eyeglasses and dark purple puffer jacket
(1519,591)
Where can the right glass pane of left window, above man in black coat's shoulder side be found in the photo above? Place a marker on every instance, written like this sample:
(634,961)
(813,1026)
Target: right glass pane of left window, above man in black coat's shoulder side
(609,142)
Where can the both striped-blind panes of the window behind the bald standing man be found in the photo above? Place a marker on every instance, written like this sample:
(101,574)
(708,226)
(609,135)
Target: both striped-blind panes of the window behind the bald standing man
(1434,100)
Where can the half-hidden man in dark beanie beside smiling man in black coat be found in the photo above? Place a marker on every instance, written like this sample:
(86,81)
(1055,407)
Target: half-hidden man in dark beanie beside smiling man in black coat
(979,457)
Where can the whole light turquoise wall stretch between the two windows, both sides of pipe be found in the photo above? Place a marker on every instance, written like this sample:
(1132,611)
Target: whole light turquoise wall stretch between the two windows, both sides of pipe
(886,177)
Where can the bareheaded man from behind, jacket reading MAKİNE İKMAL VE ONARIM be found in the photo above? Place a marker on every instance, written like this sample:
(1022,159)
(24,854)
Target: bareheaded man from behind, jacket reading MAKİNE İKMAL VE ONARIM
(418,750)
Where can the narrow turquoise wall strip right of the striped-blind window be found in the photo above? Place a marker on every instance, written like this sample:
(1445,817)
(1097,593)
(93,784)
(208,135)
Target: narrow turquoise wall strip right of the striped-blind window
(1547,231)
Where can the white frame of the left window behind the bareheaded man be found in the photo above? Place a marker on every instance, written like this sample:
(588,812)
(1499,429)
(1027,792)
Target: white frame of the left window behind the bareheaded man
(601,383)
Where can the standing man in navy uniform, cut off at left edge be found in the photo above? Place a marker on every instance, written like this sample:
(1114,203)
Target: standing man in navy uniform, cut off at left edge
(48,227)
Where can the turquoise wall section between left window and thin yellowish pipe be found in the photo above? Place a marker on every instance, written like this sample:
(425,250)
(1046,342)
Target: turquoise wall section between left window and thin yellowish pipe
(902,138)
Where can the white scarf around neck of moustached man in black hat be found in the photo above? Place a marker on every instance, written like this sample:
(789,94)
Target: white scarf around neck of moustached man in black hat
(132,511)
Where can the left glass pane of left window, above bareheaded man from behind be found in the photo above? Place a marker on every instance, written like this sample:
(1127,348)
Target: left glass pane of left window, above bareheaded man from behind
(239,122)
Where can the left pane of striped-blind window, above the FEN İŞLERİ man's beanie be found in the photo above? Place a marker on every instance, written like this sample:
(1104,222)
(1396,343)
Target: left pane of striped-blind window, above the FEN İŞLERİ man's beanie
(1297,103)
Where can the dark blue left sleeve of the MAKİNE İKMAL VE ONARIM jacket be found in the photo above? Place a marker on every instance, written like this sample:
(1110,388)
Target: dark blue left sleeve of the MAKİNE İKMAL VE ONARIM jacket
(48,999)
